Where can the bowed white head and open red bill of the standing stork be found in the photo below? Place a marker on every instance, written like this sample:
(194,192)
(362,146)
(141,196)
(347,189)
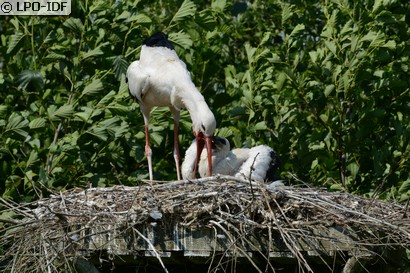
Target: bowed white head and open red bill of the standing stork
(204,127)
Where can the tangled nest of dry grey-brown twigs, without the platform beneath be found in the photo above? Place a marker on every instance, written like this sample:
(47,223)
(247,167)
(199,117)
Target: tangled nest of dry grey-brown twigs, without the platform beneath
(49,234)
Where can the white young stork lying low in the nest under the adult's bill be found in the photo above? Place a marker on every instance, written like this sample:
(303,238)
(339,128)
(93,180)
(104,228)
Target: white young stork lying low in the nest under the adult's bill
(258,162)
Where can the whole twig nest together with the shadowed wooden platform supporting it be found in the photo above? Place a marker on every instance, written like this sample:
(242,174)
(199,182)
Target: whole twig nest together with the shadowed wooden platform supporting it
(216,224)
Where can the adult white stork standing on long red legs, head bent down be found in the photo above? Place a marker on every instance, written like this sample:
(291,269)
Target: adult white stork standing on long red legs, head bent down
(160,78)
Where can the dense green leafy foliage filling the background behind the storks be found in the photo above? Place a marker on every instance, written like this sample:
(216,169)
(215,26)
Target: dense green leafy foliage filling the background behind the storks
(326,84)
